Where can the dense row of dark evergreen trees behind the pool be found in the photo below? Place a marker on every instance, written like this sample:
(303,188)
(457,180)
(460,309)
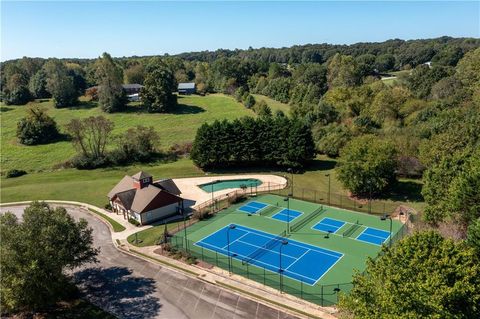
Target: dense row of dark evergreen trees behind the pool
(267,140)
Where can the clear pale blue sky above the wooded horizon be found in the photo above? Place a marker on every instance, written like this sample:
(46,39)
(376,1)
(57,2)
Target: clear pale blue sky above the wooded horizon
(86,29)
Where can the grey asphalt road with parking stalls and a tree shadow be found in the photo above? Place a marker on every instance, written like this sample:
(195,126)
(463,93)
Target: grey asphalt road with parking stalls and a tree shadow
(130,287)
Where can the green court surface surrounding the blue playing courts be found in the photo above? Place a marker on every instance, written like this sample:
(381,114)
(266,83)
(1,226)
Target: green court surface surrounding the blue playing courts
(355,252)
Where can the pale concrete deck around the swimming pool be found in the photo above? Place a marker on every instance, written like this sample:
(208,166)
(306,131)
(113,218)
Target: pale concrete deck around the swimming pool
(195,196)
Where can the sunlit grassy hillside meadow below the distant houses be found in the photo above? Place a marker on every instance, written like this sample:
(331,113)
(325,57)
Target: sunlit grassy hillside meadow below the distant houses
(177,127)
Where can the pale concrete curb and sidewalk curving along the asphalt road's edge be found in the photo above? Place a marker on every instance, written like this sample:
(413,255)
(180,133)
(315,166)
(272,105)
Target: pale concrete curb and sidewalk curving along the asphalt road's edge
(174,267)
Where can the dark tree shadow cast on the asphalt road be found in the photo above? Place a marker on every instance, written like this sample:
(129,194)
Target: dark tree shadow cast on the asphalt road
(117,291)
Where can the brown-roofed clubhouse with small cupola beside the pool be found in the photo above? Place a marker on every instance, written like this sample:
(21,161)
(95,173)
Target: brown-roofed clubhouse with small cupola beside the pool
(144,200)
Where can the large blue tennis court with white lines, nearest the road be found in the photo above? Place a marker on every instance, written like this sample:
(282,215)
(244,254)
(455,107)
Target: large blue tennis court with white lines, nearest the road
(299,261)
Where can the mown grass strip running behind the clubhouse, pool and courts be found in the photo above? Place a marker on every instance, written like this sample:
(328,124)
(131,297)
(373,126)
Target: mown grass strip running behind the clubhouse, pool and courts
(92,186)
